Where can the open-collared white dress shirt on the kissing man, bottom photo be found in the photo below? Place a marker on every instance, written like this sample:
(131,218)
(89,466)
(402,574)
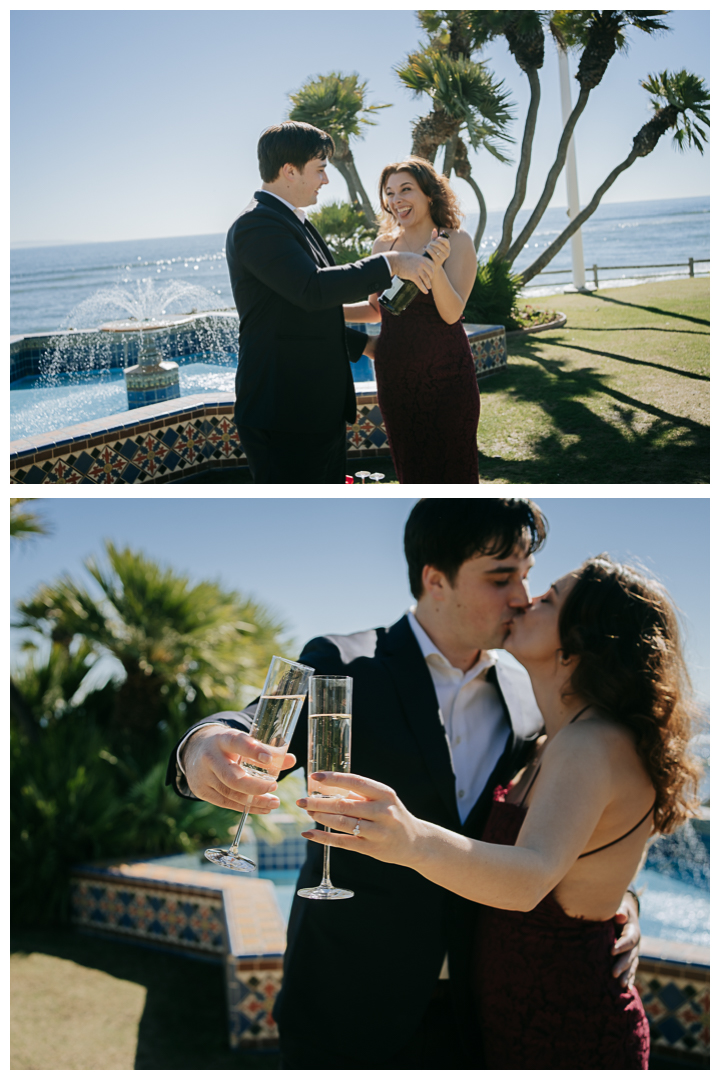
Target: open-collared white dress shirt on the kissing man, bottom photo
(476,724)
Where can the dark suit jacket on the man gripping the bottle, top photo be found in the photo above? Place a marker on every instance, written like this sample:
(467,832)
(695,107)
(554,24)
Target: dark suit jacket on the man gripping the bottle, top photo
(293,368)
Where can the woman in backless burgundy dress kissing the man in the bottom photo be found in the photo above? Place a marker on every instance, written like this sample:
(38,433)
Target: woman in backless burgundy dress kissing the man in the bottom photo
(565,839)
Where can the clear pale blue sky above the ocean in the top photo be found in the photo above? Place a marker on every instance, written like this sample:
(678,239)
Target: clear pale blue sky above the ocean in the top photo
(131,125)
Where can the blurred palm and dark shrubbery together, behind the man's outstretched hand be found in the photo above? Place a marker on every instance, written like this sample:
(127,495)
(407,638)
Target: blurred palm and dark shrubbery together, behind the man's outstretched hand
(88,762)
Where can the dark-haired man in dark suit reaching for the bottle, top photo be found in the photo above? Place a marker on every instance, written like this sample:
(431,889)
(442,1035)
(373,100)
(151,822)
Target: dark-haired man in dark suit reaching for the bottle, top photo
(294,387)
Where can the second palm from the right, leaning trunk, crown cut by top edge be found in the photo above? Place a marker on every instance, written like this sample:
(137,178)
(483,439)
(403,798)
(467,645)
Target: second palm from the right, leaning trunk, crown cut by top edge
(602,34)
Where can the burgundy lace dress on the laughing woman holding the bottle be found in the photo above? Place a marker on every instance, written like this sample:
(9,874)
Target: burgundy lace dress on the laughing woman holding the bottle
(428,396)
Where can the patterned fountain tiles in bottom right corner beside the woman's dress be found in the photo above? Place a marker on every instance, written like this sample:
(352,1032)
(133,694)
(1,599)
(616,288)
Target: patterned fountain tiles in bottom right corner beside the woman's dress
(677,1001)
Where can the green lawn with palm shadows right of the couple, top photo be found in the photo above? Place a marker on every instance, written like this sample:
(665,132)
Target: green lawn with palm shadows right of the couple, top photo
(619,396)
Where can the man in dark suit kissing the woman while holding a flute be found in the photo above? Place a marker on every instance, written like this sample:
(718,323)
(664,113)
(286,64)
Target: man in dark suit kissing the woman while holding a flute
(385,980)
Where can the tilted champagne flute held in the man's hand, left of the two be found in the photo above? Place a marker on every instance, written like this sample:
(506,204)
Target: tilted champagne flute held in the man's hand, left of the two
(282,699)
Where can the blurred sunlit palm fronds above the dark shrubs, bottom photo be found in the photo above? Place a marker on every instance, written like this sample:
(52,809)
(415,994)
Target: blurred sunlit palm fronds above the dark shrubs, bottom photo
(178,646)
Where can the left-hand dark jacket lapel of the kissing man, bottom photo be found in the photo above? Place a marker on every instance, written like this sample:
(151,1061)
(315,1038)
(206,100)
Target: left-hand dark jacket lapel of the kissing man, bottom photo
(401,653)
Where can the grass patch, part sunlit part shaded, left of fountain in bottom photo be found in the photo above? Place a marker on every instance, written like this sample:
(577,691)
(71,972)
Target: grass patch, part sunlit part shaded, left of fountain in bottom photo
(81,1003)
